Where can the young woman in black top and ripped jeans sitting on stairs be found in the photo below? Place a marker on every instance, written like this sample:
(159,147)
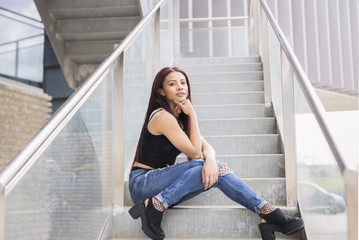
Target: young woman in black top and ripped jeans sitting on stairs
(155,183)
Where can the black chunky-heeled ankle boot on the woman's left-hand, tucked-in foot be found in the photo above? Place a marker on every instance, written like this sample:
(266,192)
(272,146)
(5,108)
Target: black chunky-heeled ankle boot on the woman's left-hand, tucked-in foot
(150,218)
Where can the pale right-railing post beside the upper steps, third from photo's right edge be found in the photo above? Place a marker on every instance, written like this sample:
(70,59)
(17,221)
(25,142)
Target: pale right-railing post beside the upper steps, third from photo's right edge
(265,57)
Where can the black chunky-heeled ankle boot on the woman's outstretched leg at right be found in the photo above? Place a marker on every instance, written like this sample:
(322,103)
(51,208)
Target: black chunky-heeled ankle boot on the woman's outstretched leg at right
(277,221)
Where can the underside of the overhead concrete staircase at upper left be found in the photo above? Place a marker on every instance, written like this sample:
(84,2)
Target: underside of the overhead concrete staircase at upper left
(83,32)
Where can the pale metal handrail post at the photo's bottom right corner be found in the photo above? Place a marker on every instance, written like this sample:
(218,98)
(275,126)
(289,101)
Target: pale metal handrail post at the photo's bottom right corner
(351,188)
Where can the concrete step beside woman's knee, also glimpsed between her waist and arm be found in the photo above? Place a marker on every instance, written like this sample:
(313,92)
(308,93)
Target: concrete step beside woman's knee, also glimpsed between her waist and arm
(251,166)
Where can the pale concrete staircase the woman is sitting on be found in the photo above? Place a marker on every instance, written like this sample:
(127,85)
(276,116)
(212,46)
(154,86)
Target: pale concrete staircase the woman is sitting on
(229,100)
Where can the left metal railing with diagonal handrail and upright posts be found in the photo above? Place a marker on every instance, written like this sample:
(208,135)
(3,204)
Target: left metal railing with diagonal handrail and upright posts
(112,66)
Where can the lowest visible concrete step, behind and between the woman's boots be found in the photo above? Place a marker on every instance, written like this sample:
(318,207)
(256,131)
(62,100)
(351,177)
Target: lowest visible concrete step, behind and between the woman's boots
(197,222)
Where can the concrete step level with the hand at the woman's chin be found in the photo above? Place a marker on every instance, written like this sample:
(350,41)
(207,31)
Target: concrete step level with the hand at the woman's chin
(233,111)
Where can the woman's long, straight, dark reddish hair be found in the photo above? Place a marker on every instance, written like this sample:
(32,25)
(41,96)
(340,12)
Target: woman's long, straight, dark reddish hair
(159,101)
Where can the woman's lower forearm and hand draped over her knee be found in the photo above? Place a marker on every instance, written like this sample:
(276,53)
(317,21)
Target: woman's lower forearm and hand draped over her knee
(210,168)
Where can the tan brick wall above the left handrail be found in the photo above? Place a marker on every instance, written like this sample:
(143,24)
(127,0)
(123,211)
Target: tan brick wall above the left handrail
(23,110)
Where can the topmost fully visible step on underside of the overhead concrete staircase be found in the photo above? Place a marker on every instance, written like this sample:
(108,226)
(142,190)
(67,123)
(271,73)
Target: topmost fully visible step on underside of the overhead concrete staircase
(96,12)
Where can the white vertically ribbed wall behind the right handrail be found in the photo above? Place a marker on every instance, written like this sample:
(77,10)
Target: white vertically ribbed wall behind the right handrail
(324,35)
